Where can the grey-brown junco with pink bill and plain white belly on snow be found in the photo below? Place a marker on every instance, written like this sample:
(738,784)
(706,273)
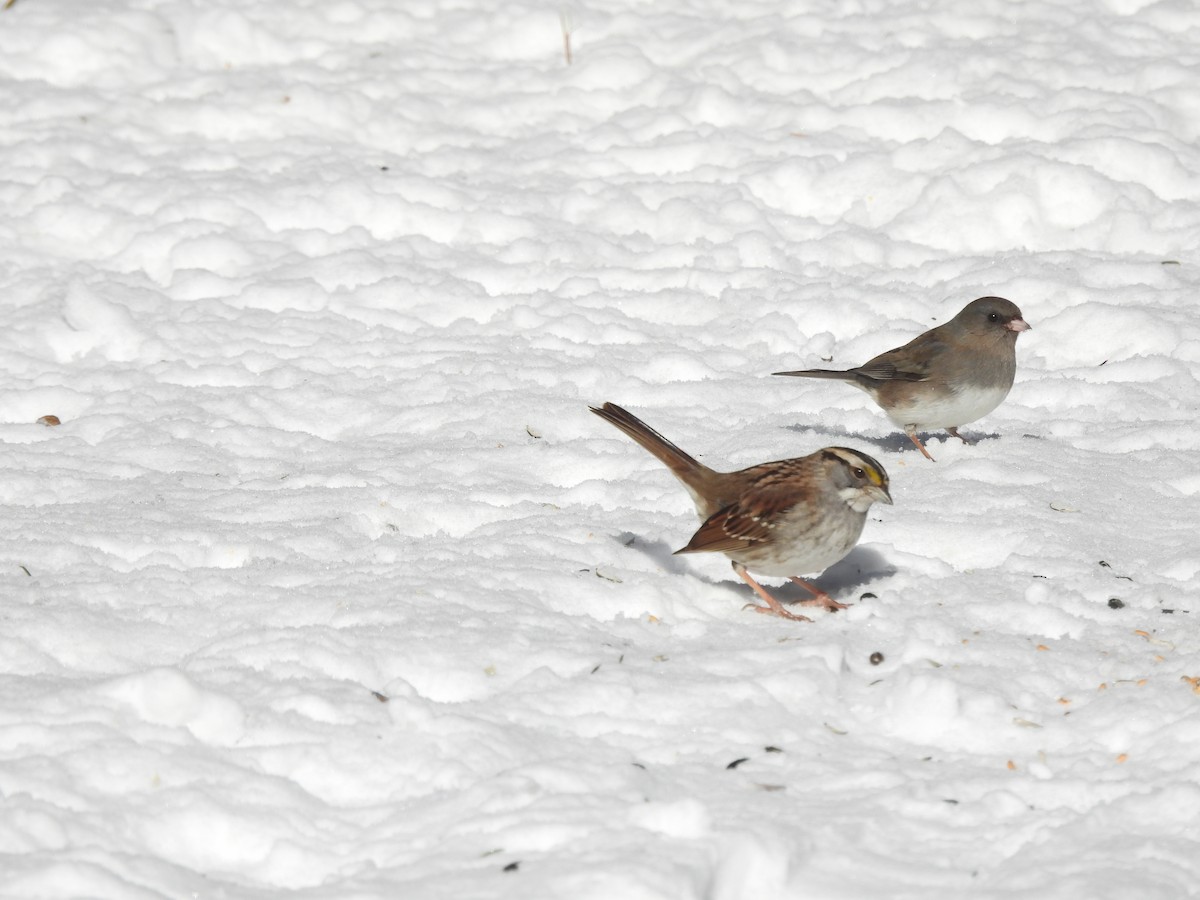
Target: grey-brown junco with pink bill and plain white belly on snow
(947,377)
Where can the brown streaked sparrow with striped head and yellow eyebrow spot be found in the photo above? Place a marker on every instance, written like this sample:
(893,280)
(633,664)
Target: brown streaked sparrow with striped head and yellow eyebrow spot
(781,518)
